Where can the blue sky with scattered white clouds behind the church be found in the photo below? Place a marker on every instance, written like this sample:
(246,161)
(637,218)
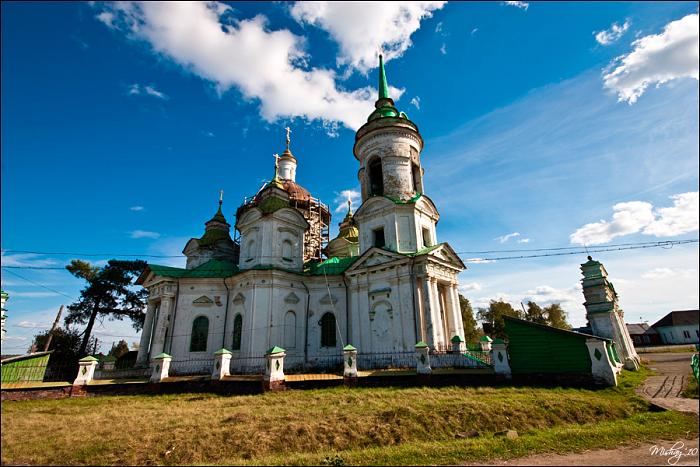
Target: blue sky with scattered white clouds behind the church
(546,125)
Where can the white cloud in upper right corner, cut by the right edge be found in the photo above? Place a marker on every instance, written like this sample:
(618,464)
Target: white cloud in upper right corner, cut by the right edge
(656,58)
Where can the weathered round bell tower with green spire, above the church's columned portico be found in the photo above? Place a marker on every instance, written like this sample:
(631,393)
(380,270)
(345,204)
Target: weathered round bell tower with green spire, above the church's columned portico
(395,213)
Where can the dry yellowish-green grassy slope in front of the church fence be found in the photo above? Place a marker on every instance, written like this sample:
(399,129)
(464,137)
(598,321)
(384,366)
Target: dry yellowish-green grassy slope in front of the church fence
(381,426)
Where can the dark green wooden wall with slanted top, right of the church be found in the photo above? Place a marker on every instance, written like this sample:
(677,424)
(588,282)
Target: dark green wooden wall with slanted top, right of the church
(534,348)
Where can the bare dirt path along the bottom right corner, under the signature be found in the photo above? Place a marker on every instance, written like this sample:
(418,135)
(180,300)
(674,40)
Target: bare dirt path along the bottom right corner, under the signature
(684,452)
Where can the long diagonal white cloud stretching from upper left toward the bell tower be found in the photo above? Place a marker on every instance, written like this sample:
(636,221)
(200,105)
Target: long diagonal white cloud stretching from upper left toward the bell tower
(264,64)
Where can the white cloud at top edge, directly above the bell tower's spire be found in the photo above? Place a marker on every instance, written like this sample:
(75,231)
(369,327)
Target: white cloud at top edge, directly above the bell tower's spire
(361,28)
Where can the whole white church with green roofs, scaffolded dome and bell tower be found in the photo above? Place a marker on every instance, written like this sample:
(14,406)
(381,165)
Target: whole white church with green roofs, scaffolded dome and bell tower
(382,285)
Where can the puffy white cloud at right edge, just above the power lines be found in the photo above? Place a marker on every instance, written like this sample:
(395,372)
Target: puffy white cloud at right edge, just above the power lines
(639,216)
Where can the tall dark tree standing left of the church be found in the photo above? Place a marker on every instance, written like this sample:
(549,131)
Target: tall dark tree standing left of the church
(108,294)
